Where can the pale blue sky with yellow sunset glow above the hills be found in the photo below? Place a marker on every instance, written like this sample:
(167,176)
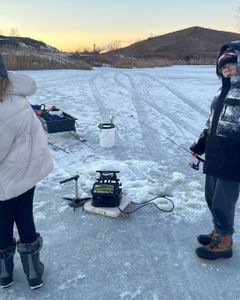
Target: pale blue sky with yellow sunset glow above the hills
(71,25)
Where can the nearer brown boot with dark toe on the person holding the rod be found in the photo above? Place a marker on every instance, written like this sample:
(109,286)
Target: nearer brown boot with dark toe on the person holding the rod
(219,247)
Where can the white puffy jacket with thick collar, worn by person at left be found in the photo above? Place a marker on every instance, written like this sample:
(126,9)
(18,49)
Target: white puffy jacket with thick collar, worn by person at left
(24,155)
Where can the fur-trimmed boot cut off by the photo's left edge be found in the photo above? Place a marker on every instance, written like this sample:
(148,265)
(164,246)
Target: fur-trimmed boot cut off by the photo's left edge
(6,265)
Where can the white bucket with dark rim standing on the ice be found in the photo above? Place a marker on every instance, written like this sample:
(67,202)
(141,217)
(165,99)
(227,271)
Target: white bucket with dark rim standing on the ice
(107,135)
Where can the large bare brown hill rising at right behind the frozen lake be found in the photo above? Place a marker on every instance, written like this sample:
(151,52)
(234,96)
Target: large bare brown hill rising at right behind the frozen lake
(195,45)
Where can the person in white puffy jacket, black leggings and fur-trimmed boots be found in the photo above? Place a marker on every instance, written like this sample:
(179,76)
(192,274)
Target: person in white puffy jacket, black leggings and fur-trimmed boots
(24,161)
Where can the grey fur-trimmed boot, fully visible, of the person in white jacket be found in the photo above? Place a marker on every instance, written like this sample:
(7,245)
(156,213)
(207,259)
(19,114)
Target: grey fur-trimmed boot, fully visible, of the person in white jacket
(32,266)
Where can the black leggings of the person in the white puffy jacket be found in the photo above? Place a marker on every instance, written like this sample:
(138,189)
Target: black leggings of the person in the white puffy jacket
(17,210)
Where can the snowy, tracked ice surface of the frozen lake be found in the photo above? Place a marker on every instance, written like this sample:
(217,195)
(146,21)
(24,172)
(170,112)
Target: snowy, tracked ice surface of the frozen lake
(148,255)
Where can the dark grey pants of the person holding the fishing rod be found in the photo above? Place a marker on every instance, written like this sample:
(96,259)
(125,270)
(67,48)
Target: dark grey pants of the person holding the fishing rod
(221,196)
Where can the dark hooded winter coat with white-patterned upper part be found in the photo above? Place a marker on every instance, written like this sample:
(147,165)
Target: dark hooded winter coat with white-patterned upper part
(220,140)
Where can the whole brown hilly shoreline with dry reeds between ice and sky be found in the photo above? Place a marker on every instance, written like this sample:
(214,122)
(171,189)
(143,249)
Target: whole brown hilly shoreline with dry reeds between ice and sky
(194,45)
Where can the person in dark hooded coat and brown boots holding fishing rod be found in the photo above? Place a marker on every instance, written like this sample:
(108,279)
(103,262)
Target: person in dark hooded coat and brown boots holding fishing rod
(220,141)
